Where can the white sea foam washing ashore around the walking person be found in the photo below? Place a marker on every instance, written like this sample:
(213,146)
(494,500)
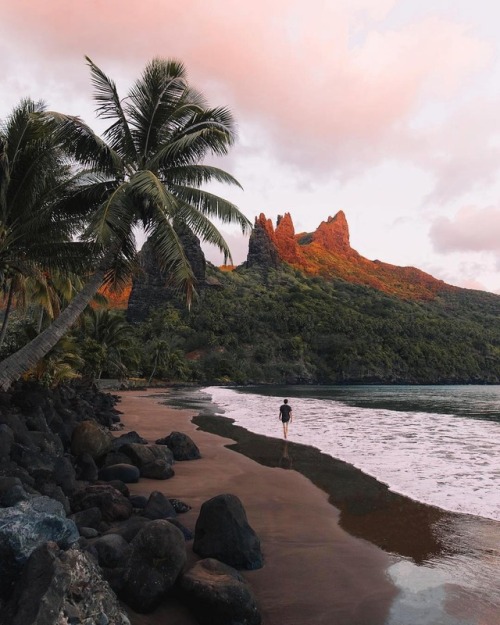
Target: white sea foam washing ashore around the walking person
(448,461)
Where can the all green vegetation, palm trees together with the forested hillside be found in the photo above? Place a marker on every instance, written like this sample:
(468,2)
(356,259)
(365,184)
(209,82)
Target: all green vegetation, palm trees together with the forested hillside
(70,202)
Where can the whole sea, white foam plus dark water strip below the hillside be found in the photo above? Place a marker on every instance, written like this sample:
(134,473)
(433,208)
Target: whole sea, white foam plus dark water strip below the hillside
(436,444)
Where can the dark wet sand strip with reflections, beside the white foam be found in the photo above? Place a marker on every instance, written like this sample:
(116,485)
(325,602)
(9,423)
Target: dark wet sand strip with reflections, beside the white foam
(446,565)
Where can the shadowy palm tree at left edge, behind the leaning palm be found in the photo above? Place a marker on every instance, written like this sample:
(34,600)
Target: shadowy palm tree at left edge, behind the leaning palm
(36,224)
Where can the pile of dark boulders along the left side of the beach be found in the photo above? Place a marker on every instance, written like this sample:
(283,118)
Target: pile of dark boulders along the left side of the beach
(75,545)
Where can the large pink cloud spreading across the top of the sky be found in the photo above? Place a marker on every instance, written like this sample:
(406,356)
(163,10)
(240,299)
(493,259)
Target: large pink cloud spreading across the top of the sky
(332,84)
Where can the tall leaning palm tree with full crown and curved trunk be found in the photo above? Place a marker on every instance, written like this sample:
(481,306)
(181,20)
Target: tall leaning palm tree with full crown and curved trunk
(147,171)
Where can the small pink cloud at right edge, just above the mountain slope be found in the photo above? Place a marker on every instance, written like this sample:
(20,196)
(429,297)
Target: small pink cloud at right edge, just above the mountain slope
(471,230)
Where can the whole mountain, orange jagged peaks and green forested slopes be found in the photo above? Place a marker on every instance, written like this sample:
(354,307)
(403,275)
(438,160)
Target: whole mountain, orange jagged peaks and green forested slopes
(307,308)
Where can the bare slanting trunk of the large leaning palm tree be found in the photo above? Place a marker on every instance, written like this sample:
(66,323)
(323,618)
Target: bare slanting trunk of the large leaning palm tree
(15,365)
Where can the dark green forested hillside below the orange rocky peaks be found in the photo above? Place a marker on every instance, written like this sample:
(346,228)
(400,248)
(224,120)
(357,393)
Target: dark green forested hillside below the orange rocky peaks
(280,326)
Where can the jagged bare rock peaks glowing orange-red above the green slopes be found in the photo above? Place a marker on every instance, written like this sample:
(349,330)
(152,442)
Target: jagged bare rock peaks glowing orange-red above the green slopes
(326,252)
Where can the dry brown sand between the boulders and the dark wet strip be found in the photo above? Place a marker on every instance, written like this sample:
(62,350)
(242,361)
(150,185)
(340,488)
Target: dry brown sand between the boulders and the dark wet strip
(314,571)
